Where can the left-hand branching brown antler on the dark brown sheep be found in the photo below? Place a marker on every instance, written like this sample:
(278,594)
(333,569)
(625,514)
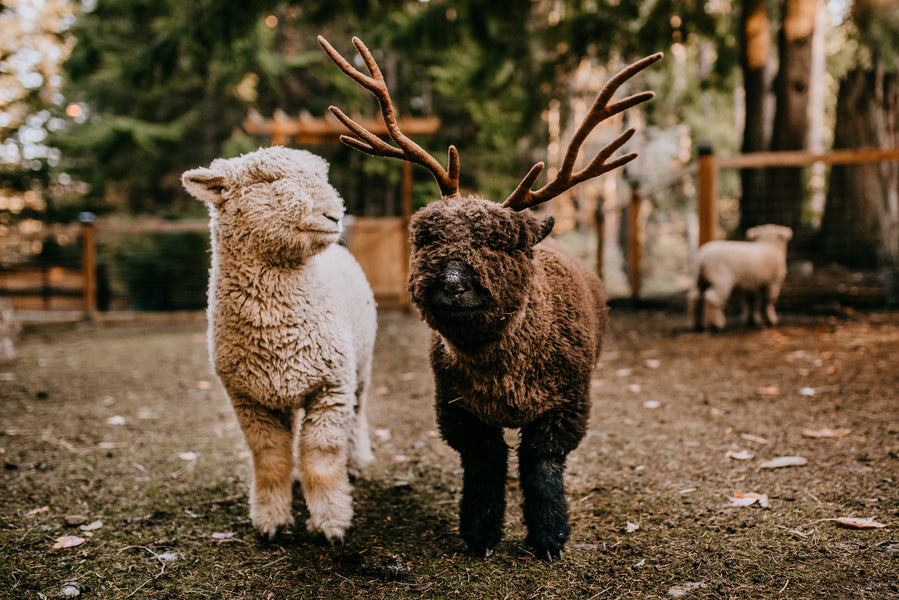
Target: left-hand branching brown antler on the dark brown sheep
(366,141)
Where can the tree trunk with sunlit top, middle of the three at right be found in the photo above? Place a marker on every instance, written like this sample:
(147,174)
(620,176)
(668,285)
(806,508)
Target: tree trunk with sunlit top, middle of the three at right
(786,186)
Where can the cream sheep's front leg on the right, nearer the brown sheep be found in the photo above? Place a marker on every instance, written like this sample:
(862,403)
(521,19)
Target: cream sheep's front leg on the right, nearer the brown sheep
(324,444)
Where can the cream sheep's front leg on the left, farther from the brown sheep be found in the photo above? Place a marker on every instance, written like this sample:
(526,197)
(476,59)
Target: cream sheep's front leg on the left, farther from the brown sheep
(269,437)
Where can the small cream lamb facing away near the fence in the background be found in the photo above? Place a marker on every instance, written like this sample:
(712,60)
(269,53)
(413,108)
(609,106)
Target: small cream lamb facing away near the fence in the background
(754,268)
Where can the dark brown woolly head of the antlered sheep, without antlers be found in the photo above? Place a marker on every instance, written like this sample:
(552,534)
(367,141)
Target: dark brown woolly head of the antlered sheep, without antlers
(470,267)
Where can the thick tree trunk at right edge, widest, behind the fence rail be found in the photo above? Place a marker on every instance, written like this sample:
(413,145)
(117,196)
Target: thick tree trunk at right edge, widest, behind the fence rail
(860,226)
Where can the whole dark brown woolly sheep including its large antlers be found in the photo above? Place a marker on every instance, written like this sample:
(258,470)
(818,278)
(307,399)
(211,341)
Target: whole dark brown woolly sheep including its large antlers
(517,322)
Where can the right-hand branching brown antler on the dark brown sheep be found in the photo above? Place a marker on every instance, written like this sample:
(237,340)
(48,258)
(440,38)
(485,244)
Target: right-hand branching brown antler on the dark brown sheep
(523,197)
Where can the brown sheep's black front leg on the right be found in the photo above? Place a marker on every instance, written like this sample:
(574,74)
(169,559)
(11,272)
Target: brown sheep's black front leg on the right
(545,444)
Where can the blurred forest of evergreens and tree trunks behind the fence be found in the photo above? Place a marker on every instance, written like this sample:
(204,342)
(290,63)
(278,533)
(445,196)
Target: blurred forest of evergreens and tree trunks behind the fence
(104,103)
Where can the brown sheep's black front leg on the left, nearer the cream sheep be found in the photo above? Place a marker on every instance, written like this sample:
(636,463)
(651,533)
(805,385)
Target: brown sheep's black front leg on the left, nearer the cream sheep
(484,457)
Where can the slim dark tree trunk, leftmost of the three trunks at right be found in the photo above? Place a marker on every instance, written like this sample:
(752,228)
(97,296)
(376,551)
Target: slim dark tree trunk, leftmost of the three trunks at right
(755,27)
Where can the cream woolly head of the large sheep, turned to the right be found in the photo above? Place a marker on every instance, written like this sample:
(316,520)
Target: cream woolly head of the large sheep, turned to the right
(275,203)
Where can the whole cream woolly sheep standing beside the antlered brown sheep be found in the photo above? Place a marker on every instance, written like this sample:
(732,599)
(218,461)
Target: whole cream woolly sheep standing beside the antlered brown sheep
(291,328)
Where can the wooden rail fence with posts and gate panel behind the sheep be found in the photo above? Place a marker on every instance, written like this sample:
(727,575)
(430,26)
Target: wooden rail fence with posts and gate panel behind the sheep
(381,244)
